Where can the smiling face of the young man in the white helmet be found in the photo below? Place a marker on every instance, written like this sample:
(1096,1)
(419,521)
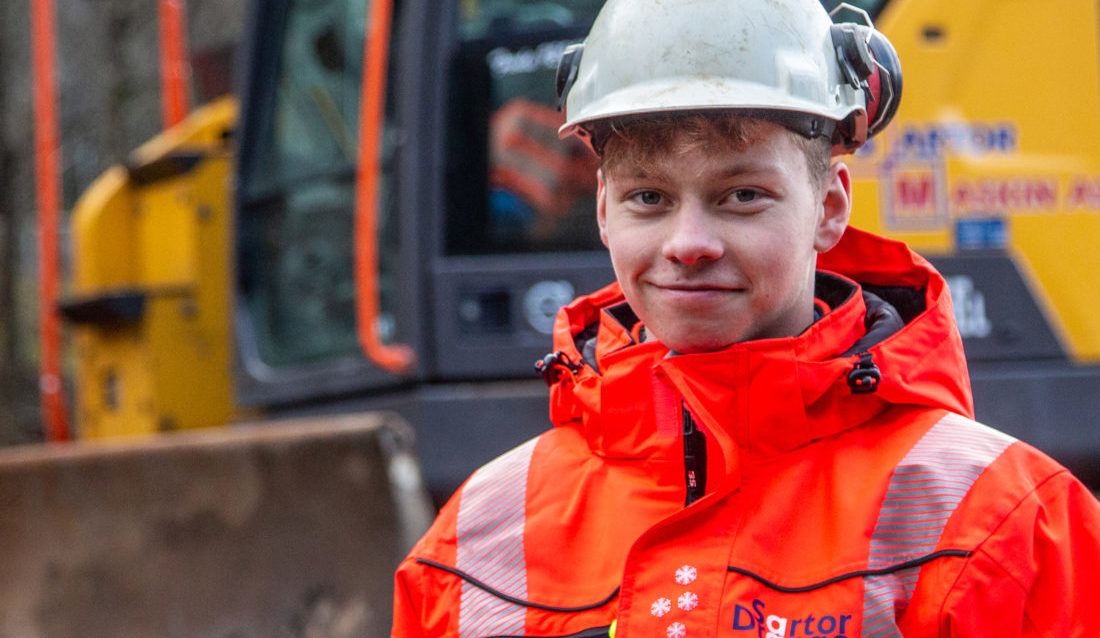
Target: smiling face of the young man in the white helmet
(717,248)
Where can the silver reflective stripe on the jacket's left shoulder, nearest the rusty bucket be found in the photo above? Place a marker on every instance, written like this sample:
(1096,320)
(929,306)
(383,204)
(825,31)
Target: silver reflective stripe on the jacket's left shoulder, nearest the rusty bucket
(491,522)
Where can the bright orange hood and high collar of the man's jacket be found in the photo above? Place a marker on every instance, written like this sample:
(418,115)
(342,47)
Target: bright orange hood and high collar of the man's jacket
(890,312)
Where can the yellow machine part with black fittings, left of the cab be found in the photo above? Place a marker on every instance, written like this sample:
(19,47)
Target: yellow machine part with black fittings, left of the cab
(150,296)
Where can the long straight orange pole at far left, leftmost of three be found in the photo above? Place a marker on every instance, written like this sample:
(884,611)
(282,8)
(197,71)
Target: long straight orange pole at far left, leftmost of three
(48,184)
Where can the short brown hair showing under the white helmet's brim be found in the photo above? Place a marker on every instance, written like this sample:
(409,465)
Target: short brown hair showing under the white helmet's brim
(637,140)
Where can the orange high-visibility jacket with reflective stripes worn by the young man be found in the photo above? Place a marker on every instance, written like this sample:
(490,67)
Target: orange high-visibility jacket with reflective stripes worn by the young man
(824,486)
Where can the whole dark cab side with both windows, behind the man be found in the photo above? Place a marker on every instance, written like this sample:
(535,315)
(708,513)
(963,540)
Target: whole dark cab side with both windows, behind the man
(487,218)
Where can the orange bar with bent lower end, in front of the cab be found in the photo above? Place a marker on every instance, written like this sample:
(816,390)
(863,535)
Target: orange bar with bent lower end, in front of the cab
(398,358)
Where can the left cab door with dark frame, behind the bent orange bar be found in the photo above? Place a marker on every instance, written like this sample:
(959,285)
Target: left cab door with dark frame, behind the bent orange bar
(296,304)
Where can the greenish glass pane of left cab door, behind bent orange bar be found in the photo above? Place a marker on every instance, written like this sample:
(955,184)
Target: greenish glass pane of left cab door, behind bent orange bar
(298,184)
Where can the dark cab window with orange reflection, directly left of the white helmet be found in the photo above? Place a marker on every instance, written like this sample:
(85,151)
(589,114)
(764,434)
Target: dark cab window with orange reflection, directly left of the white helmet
(513,186)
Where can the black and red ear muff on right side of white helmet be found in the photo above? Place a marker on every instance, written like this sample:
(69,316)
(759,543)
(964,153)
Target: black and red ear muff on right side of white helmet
(870,62)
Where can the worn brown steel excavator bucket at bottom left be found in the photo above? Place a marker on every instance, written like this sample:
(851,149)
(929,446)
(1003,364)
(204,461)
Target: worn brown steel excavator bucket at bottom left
(268,530)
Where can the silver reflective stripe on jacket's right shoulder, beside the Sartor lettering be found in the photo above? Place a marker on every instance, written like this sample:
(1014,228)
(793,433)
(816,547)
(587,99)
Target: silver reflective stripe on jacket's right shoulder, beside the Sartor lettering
(925,491)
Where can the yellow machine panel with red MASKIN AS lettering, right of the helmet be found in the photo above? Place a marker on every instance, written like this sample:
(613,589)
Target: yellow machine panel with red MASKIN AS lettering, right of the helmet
(997,142)
